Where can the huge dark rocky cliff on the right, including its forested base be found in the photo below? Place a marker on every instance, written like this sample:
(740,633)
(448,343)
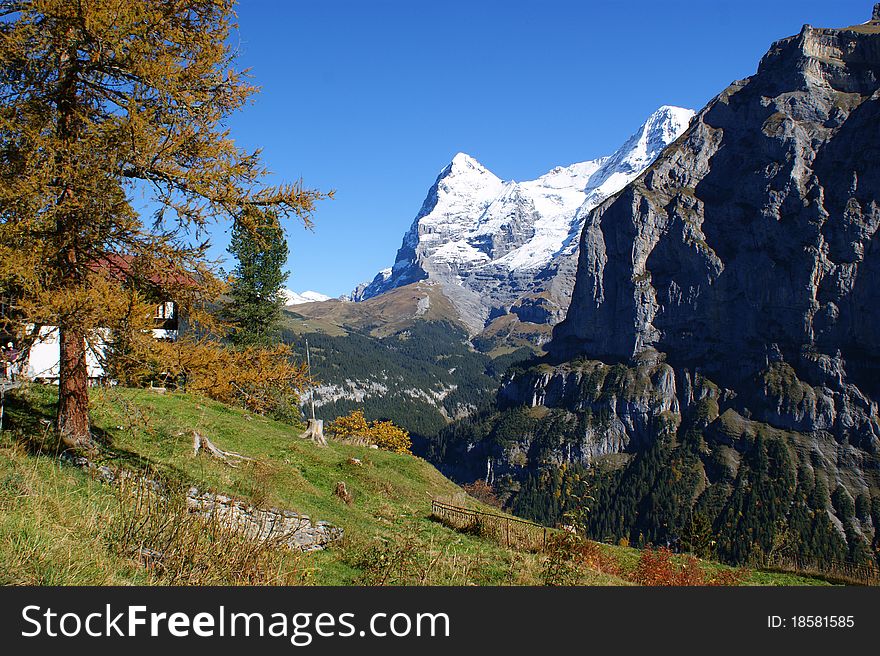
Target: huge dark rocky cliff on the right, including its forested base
(723,335)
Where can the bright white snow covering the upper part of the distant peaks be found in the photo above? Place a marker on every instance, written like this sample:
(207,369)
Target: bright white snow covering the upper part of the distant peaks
(473,210)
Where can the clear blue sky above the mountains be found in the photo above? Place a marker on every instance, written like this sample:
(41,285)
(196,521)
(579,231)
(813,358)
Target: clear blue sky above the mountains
(373,99)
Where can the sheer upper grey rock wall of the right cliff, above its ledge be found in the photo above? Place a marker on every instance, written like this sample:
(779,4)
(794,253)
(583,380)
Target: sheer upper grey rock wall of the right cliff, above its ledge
(747,250)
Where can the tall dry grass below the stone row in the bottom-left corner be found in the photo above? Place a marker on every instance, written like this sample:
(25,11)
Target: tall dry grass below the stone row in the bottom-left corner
(60,527)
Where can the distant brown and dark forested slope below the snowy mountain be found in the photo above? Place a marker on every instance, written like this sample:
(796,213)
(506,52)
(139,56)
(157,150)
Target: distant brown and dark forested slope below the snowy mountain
(421,376)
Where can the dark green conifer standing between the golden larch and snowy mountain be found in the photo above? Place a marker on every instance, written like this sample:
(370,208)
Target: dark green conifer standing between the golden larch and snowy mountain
(254,309)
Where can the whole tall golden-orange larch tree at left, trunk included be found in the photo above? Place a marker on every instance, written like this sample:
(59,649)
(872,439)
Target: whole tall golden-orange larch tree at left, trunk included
(101,100)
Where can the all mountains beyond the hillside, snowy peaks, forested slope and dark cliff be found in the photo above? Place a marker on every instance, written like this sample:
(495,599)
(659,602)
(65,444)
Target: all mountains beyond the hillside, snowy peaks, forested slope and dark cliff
(677,344)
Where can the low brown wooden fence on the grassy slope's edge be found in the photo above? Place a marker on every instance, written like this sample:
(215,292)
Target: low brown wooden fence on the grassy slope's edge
(509,531)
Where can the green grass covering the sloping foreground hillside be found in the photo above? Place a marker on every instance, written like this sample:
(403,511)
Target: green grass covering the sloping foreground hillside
(59,526)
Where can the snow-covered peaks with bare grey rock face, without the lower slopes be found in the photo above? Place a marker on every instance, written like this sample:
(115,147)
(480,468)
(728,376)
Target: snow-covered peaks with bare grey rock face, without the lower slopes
(497,247)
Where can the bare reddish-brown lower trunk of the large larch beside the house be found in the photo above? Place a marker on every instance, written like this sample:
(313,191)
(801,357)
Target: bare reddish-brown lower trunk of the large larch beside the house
(73,390)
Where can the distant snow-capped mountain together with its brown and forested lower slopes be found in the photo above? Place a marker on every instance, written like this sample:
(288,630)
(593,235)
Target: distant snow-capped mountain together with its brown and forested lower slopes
(484,272)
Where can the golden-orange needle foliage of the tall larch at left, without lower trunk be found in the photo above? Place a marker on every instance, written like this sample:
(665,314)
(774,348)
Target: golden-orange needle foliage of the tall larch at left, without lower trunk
(150,87)
